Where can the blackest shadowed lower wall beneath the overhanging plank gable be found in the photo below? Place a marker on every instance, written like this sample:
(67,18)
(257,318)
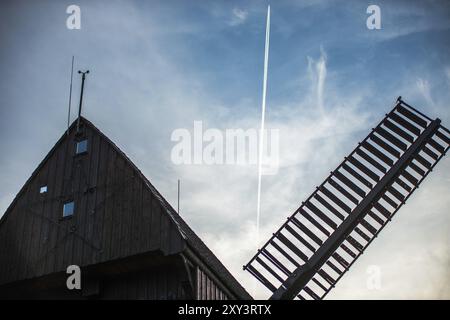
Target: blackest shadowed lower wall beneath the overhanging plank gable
(148,276)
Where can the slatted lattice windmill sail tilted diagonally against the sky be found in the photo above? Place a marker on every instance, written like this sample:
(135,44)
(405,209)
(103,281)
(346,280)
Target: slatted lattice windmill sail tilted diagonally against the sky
(317,244)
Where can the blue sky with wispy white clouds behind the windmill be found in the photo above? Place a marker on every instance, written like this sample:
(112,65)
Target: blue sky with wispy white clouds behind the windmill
(159,65)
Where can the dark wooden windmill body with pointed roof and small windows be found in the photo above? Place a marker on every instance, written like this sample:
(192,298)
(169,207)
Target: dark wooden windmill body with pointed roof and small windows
(87,204)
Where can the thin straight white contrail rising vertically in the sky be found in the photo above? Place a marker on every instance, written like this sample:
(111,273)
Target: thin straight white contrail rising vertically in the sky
(263,114)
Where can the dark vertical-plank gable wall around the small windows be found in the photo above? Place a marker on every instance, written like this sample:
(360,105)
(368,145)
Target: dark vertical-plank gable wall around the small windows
(110,200)
